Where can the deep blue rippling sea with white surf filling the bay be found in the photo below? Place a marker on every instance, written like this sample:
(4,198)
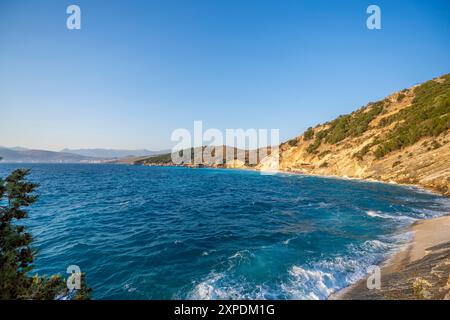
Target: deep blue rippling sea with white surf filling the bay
(178,233)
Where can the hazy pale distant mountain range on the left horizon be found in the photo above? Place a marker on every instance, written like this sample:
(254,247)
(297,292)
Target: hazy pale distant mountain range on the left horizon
(18,154)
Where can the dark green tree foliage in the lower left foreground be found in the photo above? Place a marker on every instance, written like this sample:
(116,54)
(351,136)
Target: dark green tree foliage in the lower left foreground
(16,255)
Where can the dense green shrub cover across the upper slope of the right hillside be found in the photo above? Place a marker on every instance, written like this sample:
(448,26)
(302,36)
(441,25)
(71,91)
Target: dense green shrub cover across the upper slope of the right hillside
(428,116)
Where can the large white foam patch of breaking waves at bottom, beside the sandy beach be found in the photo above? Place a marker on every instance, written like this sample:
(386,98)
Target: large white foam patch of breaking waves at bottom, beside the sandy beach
(315,280)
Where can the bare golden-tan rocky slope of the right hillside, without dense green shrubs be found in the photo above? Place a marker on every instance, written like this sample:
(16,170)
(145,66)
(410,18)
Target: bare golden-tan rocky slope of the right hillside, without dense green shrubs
(425,163)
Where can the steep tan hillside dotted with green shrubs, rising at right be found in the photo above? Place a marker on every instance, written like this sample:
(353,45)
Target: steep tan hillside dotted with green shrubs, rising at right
(403,138)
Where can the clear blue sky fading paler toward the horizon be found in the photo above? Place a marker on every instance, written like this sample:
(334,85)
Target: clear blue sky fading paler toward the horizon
(137,70)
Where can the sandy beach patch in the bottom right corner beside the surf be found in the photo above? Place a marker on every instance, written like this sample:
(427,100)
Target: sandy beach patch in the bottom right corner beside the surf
(420,271)
